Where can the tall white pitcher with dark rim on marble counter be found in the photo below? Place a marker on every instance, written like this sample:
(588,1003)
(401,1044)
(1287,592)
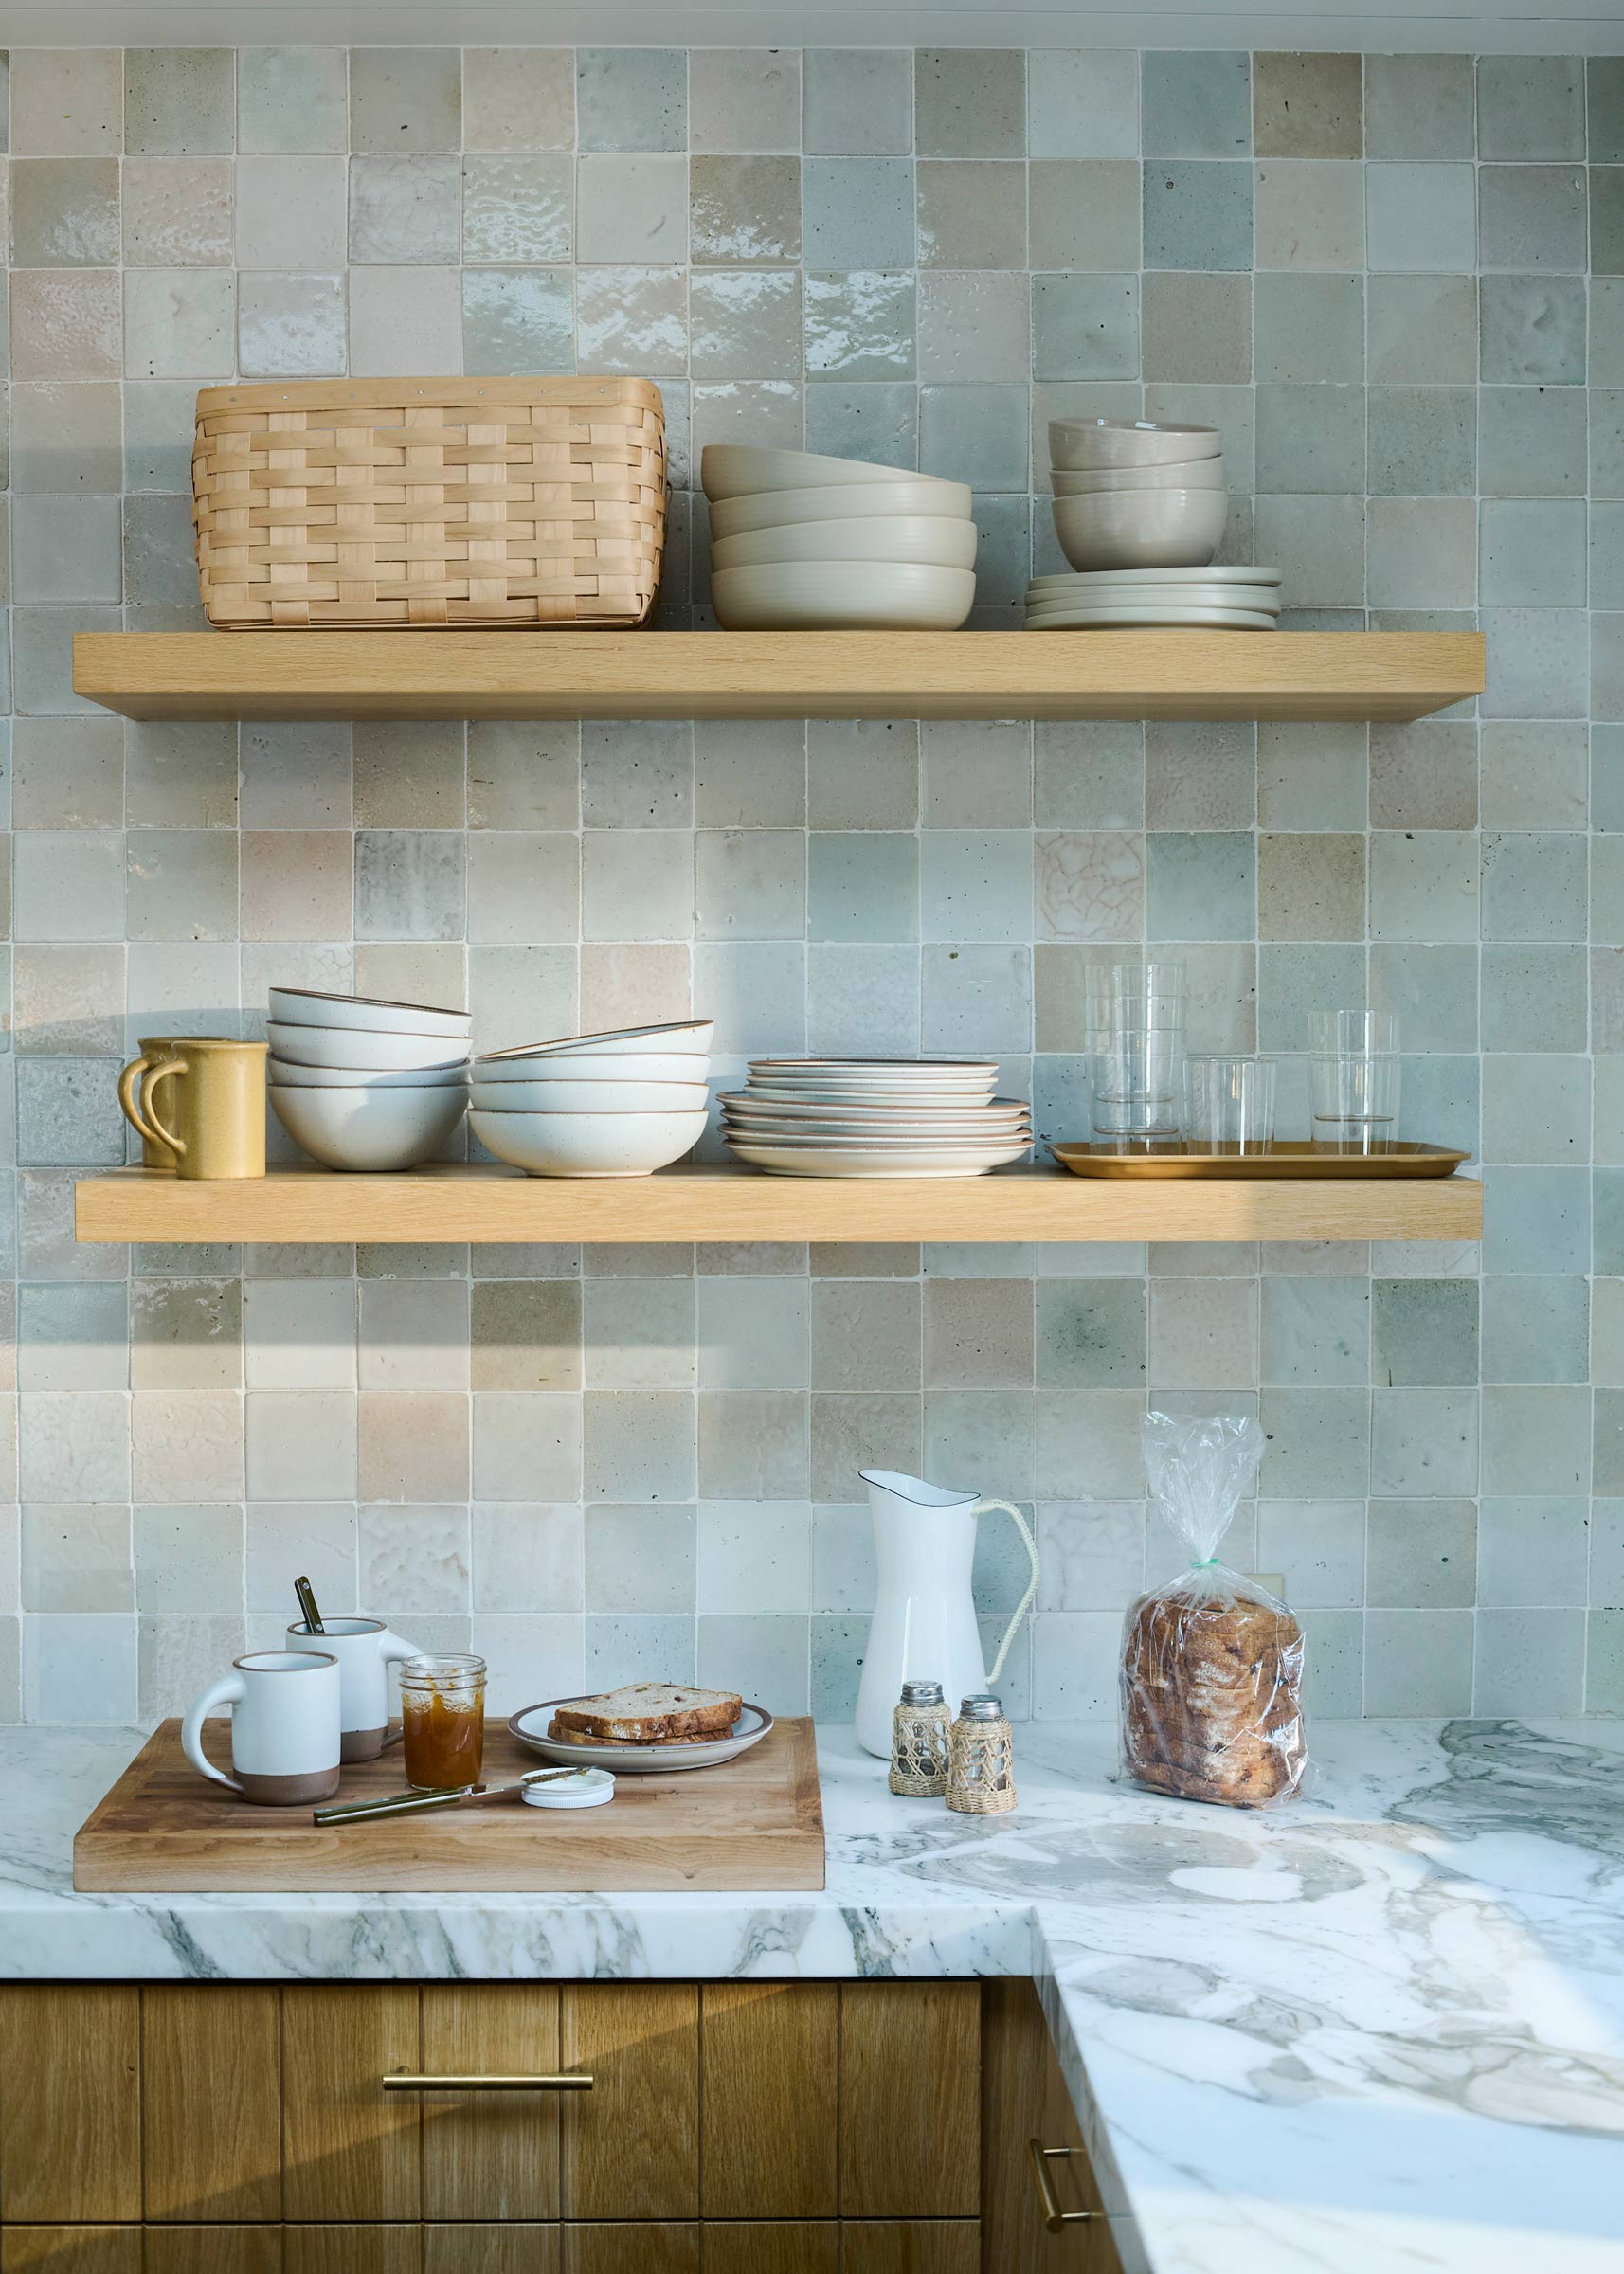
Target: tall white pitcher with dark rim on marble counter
(925,1613)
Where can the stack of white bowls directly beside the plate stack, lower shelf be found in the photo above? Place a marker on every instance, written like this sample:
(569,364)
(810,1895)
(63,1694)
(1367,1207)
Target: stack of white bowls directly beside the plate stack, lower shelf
(620,1104)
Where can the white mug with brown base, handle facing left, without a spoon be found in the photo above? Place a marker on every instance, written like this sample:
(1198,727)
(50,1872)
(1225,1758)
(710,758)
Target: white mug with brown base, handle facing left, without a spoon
(285,1727)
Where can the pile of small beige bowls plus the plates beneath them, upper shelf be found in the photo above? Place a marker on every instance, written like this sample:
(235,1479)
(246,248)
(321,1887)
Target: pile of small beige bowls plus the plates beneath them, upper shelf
(1141,511)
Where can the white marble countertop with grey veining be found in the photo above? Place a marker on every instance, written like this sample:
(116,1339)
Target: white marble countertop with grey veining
(1377,2030)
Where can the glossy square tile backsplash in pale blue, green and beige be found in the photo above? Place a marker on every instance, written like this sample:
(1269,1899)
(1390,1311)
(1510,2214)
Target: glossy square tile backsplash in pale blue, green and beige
(1398,283)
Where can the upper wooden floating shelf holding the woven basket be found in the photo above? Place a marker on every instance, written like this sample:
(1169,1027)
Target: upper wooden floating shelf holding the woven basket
(1157,674)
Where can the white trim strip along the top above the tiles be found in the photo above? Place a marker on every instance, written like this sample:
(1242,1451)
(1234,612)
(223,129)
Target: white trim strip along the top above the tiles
(1532,28)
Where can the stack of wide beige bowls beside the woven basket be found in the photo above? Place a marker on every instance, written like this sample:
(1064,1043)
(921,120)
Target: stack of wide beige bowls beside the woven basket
(827,545)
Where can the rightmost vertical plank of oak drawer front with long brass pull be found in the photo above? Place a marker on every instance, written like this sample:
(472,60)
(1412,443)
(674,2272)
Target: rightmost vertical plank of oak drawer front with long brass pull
(911,2100)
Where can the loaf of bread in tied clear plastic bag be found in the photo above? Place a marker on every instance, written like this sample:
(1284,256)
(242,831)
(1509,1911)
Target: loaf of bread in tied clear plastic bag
(1211,1663)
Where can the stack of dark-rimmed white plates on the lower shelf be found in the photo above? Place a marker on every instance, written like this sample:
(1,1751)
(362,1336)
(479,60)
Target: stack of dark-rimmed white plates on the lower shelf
(875,1118)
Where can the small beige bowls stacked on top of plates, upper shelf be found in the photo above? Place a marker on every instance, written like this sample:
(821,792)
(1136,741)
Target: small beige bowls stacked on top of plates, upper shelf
(1136,495)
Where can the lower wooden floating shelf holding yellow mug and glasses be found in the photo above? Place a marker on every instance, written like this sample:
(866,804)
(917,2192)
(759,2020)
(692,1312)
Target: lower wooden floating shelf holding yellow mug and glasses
(734,1204)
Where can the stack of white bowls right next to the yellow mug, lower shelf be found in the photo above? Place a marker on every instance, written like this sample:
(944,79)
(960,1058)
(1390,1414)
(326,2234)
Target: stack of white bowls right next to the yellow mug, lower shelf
(363,1084)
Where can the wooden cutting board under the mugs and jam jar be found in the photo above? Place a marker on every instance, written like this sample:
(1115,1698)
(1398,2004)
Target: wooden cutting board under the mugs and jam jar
(754,1823)
